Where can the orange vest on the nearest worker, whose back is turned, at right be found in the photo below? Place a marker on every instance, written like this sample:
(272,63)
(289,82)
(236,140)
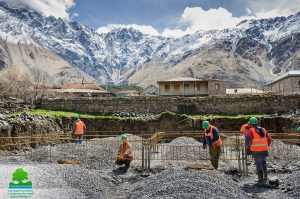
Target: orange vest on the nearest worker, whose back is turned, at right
(259,143)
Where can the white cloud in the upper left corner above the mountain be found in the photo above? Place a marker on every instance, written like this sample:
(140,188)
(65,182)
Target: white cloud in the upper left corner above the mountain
(56,8)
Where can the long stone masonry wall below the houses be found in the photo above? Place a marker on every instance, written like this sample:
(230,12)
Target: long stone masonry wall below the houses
(247,104)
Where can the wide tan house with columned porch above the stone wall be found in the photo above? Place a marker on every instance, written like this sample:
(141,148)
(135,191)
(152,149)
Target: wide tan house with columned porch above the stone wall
(190,87)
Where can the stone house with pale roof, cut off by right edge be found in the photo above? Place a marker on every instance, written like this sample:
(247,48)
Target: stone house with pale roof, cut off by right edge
(285,84)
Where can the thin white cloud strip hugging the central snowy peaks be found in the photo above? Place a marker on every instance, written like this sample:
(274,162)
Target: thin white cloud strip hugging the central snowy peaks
(143,29)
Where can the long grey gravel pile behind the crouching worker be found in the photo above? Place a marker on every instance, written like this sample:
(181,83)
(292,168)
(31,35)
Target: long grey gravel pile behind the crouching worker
(93,154)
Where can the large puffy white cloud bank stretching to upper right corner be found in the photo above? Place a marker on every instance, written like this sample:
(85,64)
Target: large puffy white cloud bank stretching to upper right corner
(196,18)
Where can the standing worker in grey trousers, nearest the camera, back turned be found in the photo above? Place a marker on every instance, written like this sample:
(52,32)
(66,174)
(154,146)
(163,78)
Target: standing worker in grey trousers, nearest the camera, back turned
(258,141)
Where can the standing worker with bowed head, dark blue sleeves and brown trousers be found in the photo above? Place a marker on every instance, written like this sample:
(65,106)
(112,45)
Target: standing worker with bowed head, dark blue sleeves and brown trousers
(213,140)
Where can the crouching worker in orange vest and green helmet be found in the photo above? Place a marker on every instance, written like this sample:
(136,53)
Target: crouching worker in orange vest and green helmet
(125,155)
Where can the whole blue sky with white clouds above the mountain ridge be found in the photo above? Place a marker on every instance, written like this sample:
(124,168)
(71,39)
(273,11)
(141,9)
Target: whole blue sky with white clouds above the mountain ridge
(161,17)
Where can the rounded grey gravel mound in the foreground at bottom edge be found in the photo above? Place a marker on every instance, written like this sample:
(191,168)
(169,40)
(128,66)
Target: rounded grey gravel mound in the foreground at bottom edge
(181,183)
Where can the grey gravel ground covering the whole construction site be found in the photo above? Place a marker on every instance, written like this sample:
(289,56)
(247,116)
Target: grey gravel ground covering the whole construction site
(168,179)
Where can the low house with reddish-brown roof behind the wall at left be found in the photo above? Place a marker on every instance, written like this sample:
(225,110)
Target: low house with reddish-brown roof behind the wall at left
(81,90)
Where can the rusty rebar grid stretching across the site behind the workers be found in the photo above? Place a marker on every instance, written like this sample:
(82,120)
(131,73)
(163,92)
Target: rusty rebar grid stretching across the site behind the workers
(183,148)
